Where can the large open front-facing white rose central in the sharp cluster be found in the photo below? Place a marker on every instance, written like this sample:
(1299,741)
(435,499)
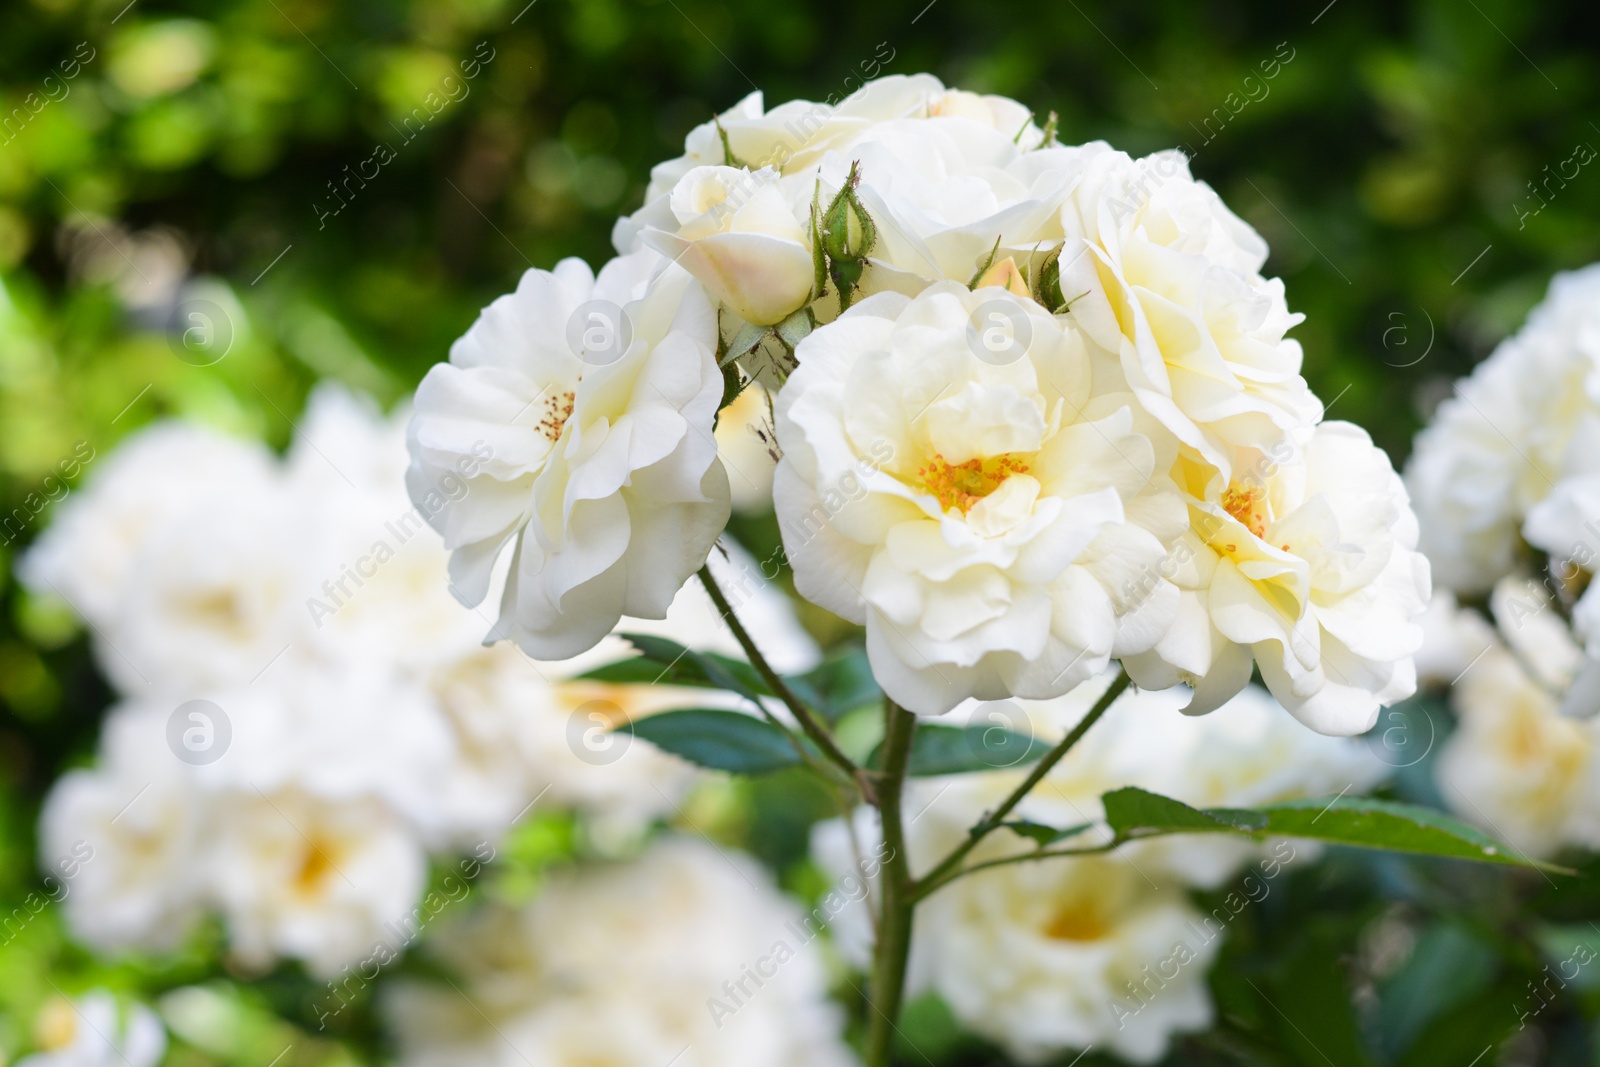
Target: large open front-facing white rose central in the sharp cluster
(982,519)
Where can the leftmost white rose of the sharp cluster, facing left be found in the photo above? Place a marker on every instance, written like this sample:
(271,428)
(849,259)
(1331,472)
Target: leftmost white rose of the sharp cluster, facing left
(604,476)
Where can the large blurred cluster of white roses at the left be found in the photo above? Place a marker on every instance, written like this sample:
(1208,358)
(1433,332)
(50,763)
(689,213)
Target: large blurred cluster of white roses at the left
(306,714)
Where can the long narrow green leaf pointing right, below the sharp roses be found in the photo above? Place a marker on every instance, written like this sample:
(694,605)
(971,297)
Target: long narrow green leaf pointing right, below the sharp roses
(1358,821)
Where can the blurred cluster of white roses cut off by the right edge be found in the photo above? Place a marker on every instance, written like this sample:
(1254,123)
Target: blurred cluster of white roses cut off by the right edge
(1508,490)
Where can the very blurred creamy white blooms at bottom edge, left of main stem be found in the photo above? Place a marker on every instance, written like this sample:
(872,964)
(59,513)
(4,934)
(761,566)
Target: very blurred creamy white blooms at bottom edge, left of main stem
(596,965)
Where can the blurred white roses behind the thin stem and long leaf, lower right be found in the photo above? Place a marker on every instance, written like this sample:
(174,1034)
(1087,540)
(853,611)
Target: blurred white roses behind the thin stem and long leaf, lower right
(1108,953)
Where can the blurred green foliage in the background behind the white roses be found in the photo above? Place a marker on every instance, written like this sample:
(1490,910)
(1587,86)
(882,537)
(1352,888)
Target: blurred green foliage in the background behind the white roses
(159,154)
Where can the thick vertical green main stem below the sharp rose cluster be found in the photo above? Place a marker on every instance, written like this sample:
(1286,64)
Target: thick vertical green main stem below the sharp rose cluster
(892,948)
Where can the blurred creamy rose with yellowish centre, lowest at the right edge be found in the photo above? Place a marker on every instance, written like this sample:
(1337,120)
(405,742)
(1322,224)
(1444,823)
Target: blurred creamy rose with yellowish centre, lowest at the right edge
(1516,765)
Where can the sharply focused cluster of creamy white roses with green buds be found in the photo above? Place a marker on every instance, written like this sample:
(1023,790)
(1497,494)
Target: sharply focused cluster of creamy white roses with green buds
(1034,412)
